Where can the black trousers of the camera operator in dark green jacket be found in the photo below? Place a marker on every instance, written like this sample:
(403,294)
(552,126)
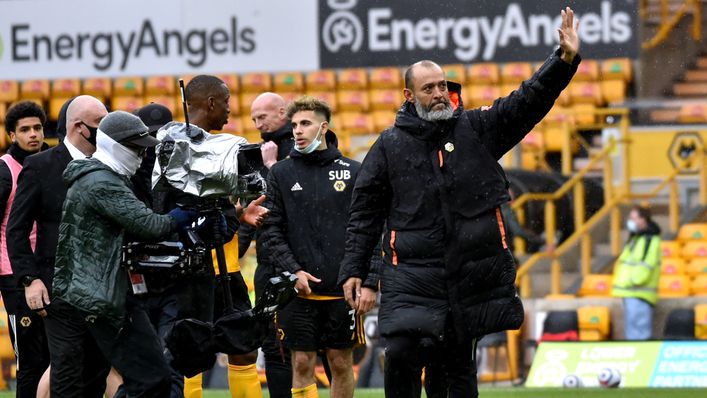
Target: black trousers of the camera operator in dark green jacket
(133,349)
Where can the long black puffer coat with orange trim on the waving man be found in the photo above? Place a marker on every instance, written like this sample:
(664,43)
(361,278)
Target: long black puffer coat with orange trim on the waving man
(437,188)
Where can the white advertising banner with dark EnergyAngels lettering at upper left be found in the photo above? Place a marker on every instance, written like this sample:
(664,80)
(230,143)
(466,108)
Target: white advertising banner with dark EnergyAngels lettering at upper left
(88,38)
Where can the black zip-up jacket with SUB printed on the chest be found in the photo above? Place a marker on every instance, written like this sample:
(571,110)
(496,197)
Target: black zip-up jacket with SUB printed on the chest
(308,197)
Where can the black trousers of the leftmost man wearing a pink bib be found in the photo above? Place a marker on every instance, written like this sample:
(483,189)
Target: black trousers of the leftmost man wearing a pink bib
(29,340)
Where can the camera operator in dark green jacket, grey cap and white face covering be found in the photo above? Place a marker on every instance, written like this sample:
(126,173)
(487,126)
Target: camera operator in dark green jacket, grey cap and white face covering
(90,287)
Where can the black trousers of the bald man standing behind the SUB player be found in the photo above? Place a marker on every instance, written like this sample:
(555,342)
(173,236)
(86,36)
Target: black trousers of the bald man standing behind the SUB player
(278,363)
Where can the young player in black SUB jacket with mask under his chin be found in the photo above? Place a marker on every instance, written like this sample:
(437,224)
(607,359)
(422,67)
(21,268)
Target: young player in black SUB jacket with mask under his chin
(308,197)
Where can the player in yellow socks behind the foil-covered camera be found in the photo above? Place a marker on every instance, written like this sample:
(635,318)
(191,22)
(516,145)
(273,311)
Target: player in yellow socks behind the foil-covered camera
(207,99)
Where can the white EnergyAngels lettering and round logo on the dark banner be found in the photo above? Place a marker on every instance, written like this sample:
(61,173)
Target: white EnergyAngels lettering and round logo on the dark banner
(471,37)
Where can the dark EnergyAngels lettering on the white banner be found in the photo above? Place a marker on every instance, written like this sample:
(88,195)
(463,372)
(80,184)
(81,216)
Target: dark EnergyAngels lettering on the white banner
(109,49)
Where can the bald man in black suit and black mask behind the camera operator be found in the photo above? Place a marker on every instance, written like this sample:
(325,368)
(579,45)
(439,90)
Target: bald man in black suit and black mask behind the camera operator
(39,199)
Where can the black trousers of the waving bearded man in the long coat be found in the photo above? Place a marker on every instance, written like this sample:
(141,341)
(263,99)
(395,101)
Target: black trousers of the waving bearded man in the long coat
(451,365)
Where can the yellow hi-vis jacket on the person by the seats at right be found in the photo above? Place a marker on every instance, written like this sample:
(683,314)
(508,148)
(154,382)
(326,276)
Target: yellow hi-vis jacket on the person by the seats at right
(637,271)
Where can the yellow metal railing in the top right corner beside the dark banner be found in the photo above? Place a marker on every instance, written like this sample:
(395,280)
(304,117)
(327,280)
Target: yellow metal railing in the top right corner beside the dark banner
(668,22)
